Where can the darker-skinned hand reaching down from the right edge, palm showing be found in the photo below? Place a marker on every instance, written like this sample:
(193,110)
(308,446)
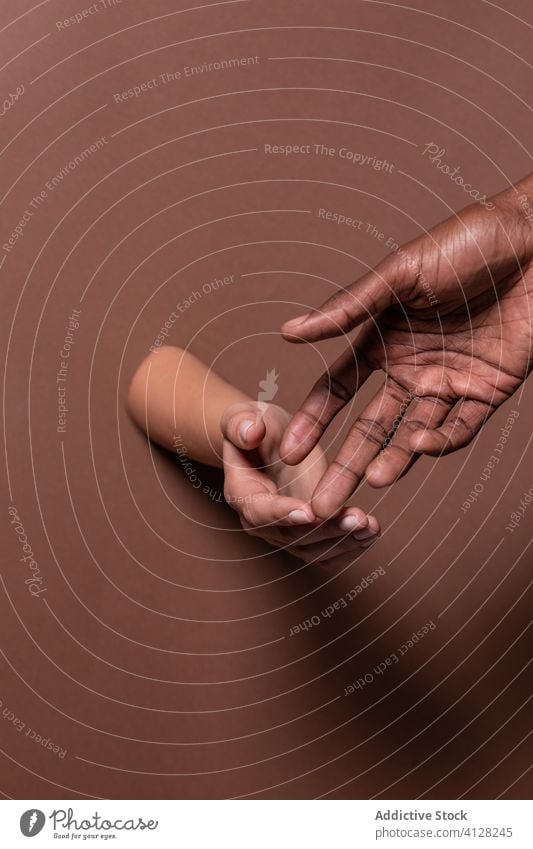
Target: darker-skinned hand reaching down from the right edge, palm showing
(448,319)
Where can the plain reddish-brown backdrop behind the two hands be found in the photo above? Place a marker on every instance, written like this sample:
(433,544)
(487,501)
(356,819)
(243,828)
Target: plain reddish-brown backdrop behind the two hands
(159,656)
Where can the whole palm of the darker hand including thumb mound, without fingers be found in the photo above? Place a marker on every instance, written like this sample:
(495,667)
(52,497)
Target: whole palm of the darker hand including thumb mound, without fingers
(483,292)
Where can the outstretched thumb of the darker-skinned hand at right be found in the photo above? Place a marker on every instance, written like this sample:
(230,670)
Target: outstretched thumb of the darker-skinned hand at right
(367,297)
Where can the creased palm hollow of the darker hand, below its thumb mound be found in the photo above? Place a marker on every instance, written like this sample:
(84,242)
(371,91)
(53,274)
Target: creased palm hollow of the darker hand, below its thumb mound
(482,354)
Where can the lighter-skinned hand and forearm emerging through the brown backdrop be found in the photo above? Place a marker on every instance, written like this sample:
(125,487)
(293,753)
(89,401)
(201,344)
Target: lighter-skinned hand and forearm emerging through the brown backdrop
(174,395)
